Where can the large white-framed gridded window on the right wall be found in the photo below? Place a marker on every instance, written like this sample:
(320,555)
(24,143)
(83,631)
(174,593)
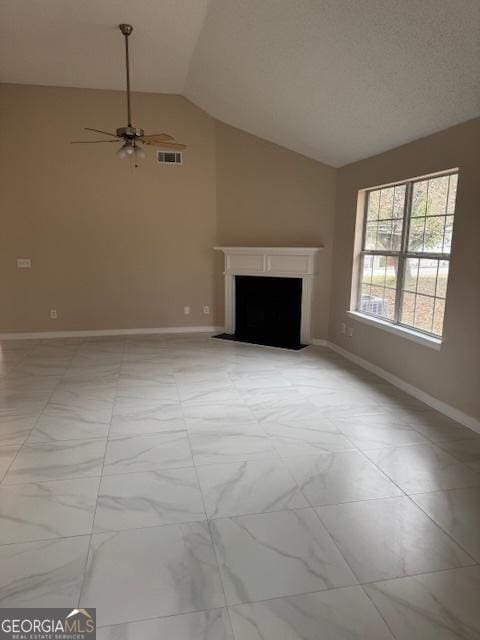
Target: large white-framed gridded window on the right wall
(405,252)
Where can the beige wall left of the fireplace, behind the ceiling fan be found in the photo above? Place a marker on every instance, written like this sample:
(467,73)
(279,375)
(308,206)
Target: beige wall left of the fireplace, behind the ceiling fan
(111,247)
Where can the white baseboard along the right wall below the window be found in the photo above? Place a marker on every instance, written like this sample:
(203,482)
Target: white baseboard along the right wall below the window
(435,403)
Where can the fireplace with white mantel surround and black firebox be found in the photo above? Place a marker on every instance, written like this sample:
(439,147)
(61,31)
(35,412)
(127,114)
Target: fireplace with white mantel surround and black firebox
(268,294)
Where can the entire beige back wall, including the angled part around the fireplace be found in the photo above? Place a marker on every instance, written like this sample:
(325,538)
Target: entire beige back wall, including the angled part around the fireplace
(115,248)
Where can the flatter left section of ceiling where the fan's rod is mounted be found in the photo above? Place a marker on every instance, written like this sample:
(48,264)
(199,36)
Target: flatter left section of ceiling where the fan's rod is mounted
(76,43)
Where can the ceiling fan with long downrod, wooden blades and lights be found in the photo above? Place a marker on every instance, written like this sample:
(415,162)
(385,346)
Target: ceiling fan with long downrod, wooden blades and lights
(133,137)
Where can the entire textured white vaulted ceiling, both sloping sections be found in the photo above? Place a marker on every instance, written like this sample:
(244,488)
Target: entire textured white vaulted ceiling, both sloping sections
(336,80)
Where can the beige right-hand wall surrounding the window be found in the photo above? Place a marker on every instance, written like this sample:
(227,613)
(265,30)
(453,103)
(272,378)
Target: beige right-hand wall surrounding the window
(453,373)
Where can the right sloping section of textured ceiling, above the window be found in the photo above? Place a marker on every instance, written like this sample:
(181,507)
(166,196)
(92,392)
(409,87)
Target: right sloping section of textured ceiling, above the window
(339,80)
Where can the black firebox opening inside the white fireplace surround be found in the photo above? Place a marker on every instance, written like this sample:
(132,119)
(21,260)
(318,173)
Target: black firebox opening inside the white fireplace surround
(268,311)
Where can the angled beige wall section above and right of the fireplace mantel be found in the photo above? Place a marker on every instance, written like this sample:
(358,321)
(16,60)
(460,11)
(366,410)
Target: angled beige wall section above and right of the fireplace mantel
(267,195)
